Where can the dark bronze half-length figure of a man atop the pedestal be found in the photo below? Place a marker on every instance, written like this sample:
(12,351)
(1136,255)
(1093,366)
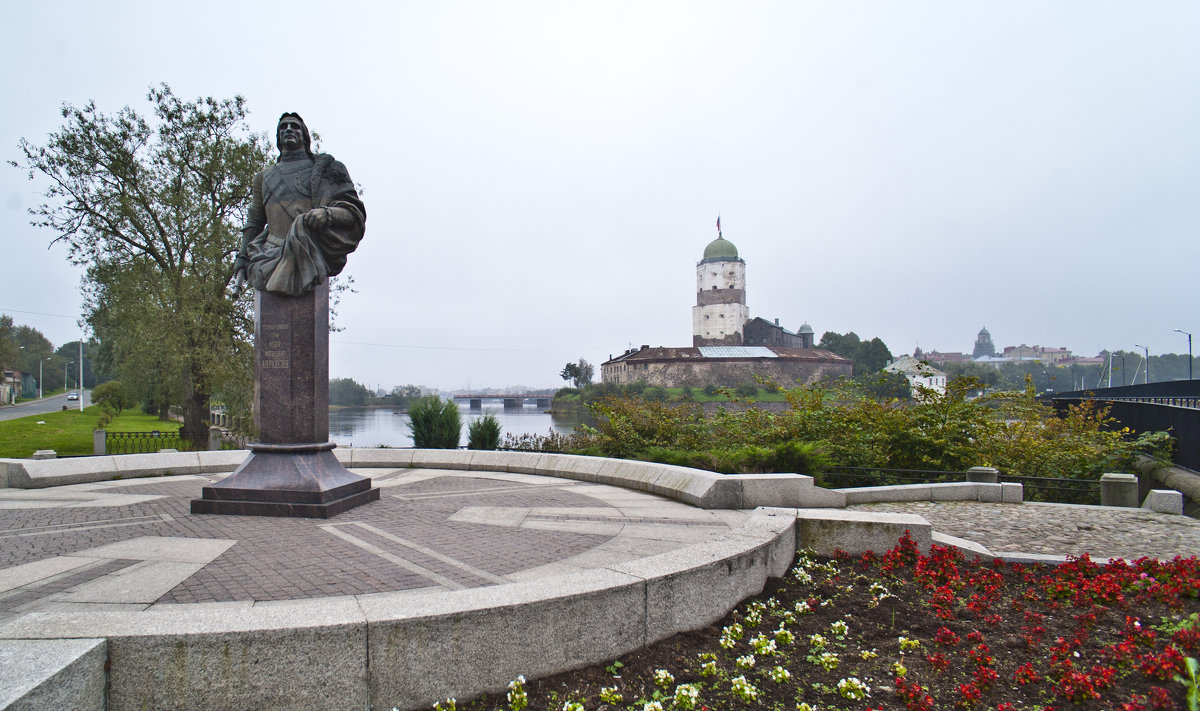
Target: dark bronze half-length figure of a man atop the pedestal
(305,218)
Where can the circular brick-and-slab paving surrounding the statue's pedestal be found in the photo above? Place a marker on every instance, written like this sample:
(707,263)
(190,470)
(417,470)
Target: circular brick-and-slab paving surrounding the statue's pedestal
(135,545)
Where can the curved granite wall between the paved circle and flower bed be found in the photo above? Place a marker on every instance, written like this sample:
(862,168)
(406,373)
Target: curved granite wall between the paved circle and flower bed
(407,650)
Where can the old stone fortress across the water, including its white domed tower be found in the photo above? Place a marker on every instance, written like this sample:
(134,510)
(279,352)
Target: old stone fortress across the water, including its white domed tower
(728,346)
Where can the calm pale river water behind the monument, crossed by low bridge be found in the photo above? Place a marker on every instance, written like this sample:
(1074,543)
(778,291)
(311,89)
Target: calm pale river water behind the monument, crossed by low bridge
(370,427)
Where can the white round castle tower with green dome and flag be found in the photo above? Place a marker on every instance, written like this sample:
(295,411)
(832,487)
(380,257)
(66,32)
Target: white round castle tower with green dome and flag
(721,313)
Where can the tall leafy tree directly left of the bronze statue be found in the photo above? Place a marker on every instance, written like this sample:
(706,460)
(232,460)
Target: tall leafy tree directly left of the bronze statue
(153,208)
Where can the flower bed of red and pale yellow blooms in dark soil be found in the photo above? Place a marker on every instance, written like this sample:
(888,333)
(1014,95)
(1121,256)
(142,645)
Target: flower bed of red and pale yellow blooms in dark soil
(919,634)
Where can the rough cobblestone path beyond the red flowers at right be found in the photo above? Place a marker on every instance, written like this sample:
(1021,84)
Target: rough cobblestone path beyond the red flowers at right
(1058,529)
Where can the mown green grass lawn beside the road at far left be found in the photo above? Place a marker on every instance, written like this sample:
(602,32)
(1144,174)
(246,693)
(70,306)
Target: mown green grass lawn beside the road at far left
(69,433)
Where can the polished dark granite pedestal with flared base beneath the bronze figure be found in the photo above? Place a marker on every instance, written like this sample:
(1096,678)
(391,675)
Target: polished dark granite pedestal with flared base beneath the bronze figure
(292,470)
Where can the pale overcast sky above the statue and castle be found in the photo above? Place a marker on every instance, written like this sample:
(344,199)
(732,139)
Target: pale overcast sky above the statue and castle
(542,178)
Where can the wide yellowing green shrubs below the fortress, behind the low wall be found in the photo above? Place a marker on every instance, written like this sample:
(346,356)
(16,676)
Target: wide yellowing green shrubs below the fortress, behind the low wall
(843,423)
